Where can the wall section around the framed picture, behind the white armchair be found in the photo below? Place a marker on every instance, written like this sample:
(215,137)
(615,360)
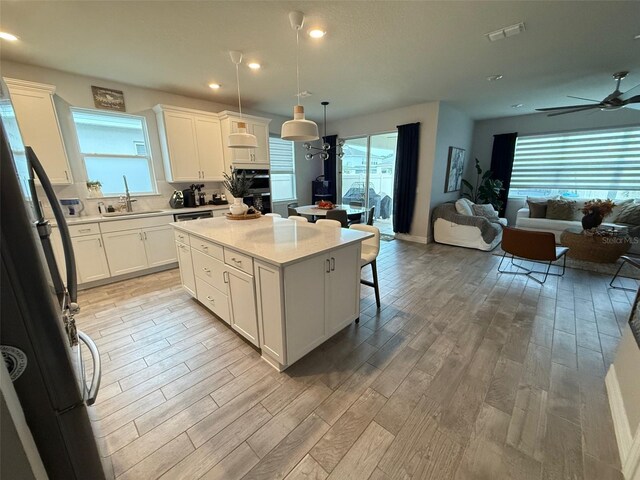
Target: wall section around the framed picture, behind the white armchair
(455,129)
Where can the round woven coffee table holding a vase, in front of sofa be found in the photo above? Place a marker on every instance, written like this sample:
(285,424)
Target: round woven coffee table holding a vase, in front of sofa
(593,247)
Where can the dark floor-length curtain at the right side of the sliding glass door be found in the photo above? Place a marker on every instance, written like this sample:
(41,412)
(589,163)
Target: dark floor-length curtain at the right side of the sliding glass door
(406,177)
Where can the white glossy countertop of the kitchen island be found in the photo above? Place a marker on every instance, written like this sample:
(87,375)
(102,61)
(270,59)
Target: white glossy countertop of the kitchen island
(275,240)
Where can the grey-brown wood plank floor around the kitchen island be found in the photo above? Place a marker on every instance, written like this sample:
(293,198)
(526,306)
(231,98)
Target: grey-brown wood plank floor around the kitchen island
(462,374)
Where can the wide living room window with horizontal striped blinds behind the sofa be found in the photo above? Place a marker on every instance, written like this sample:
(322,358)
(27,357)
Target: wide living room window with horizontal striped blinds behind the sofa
(587,164)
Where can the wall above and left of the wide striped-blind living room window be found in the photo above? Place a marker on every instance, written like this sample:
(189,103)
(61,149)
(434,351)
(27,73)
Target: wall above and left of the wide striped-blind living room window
(539,123)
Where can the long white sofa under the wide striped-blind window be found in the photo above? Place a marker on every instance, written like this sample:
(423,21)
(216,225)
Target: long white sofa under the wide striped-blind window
(558,226)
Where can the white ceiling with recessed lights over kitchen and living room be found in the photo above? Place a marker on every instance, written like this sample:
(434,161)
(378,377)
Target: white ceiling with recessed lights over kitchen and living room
(375,56)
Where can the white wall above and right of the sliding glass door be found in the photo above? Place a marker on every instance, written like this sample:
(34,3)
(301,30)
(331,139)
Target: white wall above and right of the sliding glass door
(427,115)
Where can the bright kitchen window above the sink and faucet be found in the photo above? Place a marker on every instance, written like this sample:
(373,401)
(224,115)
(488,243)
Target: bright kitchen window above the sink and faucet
(113,145)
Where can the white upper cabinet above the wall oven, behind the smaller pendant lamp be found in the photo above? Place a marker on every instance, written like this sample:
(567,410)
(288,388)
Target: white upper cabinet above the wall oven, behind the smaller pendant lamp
(245,157)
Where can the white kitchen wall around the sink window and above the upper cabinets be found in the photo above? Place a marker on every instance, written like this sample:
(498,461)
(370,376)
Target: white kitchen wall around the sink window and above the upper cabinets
(75,91)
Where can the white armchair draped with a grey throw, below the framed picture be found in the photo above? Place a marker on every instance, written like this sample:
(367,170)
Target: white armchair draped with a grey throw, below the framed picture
(470,231)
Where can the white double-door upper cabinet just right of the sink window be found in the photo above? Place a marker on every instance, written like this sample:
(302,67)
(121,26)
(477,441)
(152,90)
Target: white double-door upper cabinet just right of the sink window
(191,144)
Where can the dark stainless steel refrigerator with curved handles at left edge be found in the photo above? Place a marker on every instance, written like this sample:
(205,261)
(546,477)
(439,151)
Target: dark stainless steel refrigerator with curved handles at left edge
(40,344)
